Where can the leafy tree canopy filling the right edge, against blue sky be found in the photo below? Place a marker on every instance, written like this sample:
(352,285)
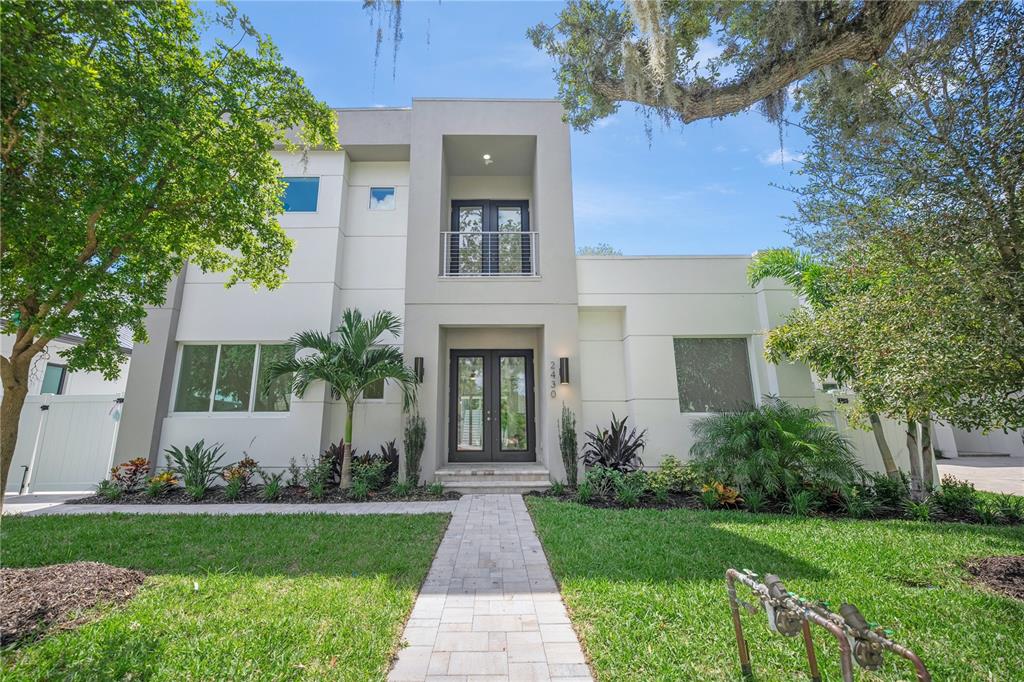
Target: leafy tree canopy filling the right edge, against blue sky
(915,176)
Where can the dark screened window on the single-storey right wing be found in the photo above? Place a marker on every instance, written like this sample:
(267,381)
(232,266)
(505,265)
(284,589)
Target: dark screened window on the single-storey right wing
(713,375)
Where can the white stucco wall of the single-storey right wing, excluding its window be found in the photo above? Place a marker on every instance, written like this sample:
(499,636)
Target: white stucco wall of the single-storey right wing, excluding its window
(632,309)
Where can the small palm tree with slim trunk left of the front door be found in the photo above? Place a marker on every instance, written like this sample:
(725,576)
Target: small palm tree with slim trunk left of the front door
(349,366)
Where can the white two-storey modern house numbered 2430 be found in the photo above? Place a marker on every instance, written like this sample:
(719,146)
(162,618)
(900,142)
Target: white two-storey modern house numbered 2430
(458,217)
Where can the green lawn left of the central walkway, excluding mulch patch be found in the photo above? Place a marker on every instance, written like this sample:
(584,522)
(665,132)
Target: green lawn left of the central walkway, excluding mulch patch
(279,598)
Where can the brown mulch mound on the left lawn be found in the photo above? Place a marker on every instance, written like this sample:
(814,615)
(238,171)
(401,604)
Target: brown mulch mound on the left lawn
(33,601)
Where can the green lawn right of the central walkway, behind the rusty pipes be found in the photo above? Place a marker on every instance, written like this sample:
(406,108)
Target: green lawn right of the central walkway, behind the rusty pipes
(647,590)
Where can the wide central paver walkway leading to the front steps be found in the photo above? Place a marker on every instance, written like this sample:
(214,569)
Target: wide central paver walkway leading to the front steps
(490,609)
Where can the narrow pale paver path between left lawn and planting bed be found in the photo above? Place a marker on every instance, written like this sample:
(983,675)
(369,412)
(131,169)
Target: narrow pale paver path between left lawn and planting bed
(352,508)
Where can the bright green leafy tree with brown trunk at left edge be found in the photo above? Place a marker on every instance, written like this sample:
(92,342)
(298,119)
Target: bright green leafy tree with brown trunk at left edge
(129,149)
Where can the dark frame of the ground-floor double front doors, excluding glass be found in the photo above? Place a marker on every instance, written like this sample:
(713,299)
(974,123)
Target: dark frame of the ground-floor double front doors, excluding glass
(492,403)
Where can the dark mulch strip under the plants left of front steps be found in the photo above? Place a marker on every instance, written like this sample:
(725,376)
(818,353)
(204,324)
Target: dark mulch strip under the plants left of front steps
(291,495)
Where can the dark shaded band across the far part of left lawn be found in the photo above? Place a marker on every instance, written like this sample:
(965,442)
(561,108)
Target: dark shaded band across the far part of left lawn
(399,546)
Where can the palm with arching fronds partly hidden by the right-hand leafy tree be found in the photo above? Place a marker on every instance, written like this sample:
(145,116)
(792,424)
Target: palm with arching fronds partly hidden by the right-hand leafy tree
(810,280)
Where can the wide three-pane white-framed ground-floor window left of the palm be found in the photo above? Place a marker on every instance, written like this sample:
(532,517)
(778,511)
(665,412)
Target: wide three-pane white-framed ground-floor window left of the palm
(225,378)
